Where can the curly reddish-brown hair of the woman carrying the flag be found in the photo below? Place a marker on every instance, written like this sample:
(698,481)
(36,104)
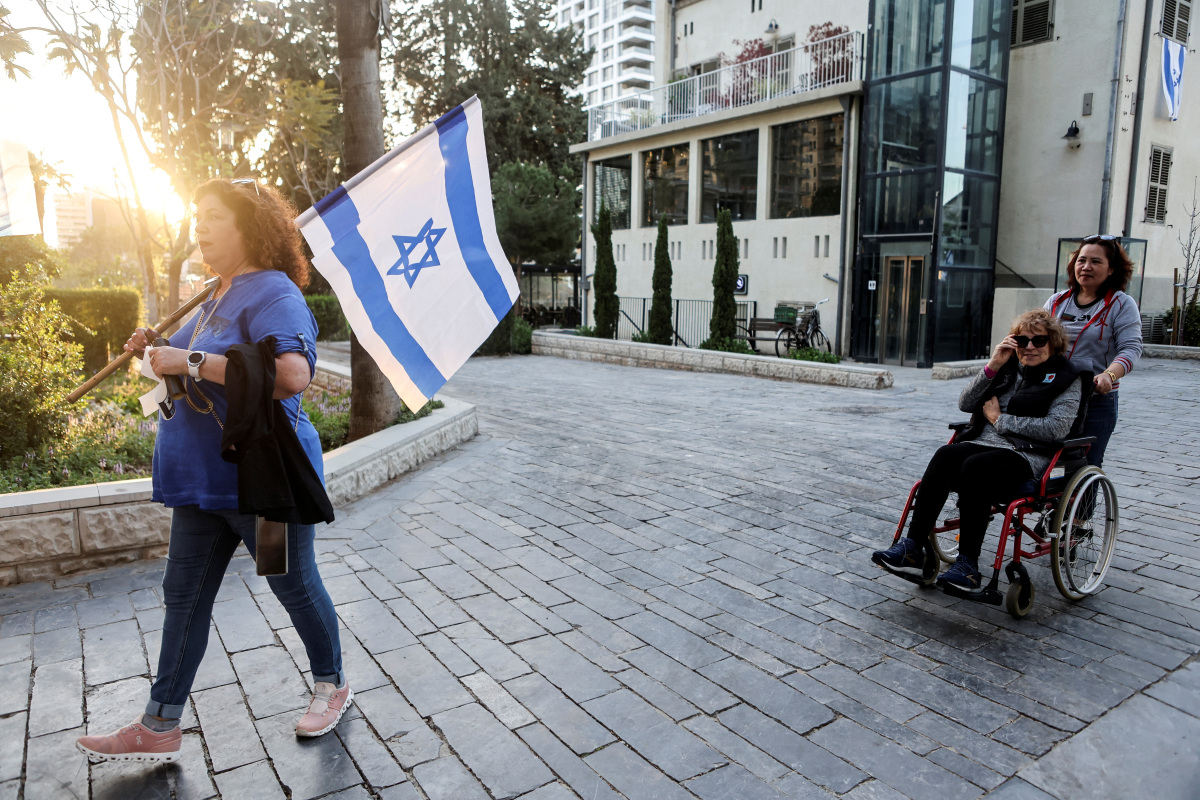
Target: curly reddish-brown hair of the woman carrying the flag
(266,221)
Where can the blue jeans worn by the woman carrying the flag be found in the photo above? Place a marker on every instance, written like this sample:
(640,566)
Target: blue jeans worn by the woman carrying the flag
(202,543)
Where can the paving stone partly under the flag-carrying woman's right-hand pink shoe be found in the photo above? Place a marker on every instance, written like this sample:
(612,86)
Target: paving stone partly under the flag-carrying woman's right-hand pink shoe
(310,767)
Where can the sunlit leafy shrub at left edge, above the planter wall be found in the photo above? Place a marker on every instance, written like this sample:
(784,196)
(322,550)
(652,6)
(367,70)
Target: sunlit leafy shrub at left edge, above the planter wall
(39,368)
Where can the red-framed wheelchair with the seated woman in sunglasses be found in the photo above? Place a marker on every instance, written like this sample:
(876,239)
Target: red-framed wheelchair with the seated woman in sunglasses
(1073,510)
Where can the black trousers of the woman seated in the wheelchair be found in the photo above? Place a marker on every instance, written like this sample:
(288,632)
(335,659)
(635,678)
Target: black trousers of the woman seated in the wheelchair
(982,477)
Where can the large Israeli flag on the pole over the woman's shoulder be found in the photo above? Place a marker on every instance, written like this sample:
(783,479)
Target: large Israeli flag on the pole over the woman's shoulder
(410,248)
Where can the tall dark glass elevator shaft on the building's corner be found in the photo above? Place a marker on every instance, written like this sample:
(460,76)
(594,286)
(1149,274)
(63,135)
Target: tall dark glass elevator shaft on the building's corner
(933,131)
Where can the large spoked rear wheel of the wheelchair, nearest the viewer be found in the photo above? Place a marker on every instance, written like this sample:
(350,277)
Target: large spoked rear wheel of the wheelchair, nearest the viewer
(1087,524)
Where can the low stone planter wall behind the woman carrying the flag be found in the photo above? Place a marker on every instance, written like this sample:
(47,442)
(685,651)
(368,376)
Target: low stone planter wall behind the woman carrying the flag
(51,533)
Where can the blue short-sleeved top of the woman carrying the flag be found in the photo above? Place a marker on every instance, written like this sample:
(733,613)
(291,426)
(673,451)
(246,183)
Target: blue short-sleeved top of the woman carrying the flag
(188,465)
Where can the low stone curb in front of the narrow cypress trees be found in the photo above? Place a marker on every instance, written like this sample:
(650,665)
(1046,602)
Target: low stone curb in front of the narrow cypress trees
(635,354)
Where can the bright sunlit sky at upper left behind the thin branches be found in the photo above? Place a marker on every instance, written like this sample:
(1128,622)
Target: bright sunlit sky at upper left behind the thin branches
(68,124)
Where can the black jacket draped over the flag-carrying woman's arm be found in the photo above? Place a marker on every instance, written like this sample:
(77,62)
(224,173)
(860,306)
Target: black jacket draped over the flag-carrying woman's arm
(275,478)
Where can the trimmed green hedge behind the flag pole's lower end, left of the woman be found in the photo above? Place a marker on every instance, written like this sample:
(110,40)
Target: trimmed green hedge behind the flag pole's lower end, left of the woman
(104,320)
